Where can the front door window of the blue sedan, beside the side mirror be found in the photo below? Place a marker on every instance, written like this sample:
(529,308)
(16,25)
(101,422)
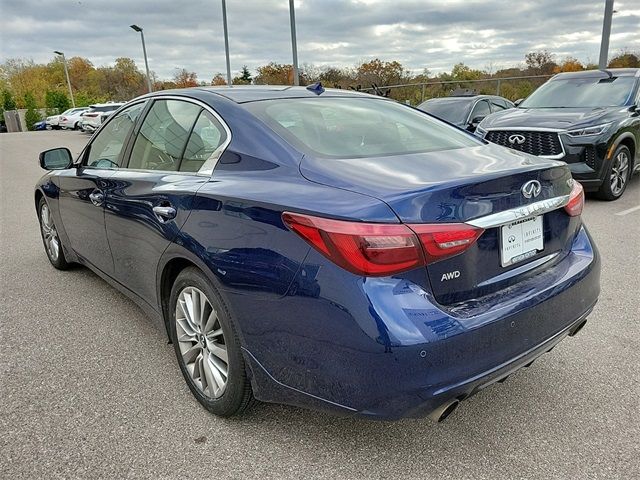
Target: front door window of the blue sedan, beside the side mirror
(106,149)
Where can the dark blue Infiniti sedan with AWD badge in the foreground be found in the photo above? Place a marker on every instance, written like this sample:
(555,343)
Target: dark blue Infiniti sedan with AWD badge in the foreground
(324,248)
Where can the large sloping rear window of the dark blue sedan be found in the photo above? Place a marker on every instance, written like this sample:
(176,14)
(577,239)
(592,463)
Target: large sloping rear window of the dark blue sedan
(347,127)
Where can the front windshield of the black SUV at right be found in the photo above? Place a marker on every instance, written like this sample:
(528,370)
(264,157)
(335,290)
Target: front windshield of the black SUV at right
(581,93)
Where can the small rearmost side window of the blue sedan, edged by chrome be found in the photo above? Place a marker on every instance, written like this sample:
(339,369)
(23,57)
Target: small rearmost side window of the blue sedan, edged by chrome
(207,135)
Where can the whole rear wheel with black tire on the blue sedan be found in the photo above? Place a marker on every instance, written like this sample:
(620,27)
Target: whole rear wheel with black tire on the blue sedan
(206,345)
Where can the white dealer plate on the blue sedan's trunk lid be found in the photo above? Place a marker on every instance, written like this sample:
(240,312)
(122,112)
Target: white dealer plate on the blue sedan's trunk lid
(520,240)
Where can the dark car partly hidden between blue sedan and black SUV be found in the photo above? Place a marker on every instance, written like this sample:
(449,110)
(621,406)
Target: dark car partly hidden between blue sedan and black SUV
(465,111)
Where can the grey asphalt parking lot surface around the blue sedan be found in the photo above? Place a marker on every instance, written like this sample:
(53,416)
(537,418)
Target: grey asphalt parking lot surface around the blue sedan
(91,389)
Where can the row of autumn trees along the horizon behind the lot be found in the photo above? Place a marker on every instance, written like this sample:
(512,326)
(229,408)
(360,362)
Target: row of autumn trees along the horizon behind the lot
(25,84)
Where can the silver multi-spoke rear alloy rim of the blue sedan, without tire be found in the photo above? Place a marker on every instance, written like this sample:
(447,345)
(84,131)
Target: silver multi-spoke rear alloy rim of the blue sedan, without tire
(201,341)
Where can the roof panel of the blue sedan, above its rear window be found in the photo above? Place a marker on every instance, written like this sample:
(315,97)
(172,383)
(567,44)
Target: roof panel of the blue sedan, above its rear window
(254,93)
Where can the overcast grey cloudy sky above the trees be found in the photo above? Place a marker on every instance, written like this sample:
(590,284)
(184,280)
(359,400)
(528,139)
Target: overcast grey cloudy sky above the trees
(418,33)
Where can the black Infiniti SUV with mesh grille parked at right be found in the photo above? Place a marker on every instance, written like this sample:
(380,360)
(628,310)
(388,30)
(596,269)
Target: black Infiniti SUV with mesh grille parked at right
(589,119)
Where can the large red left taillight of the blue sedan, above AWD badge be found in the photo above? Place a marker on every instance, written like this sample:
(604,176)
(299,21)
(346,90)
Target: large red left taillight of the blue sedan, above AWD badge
(376,249)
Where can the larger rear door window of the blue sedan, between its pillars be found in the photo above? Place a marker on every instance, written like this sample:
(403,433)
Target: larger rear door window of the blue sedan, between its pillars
(163,135)
